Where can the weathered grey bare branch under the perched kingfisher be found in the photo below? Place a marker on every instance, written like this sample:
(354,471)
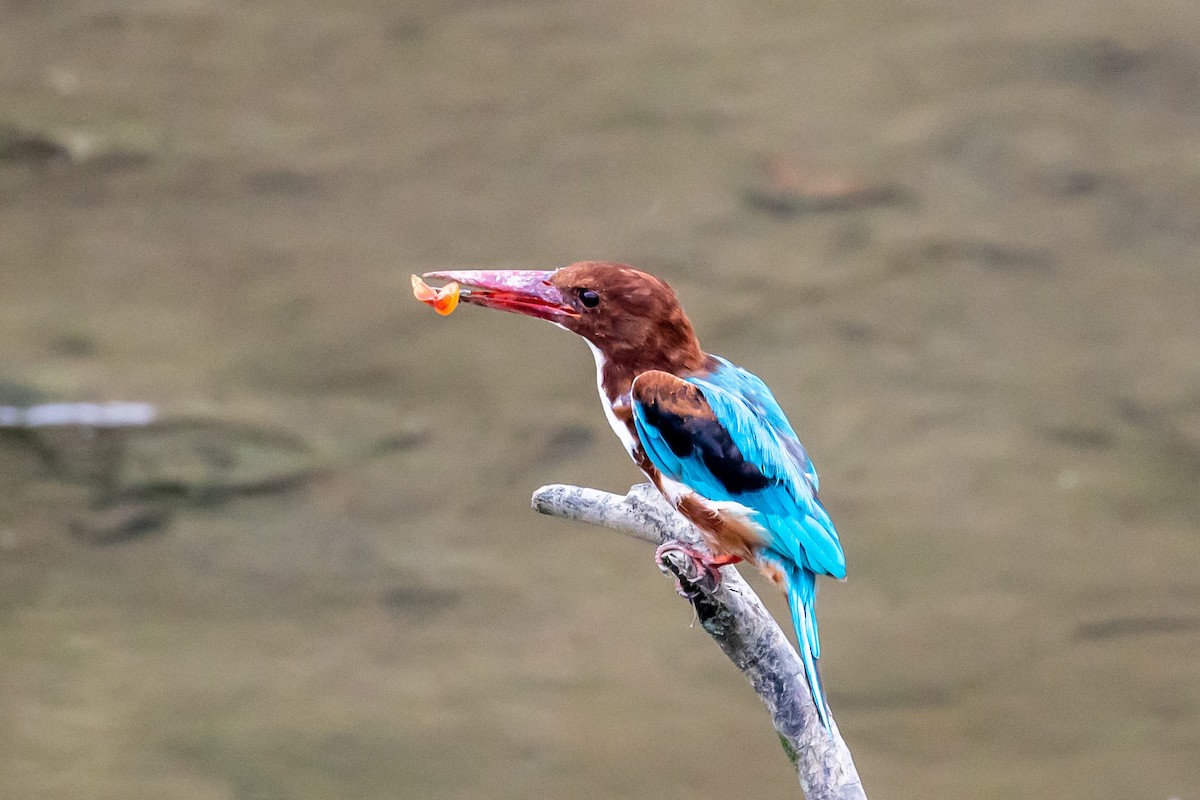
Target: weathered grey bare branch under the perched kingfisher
(737,621)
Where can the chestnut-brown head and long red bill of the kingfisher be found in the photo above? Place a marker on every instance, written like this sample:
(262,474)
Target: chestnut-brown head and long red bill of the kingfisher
(626,314)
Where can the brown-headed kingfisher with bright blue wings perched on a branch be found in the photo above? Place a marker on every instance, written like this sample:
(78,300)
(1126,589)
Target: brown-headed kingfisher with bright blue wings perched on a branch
(709,435)
